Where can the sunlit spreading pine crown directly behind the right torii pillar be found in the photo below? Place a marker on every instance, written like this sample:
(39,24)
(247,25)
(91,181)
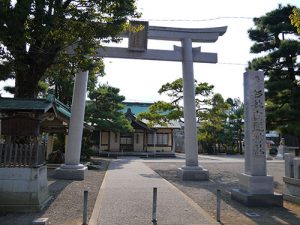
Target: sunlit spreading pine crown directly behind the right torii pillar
(162,112)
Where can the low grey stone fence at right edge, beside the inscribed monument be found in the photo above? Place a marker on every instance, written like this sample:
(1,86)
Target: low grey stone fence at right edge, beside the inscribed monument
(291,190)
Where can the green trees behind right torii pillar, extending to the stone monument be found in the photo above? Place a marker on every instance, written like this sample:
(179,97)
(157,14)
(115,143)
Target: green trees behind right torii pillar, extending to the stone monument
(221,122)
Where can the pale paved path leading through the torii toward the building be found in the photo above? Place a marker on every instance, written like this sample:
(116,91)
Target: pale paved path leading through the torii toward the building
(125,197)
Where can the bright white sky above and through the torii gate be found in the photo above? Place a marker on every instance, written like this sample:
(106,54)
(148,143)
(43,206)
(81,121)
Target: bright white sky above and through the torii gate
(140,80)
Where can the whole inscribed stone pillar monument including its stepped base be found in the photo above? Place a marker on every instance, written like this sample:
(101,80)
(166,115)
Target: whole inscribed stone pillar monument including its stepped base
(256,187)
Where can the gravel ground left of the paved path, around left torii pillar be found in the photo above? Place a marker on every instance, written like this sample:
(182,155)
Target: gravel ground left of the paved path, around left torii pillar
(65,208)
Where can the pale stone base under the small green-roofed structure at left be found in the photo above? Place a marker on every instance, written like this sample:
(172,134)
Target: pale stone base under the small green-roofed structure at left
(23,189)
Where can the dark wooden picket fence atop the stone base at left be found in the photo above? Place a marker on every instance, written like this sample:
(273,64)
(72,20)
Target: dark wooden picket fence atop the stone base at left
(22,155)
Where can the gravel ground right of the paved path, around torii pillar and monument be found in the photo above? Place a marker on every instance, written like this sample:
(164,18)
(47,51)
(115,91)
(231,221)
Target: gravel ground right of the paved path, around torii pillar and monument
(224,176)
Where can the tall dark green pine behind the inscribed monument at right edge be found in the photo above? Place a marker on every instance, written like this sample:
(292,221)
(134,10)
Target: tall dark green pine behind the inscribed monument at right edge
(277,40)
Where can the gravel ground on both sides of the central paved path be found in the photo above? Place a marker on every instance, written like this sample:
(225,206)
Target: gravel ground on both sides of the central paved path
(66,206)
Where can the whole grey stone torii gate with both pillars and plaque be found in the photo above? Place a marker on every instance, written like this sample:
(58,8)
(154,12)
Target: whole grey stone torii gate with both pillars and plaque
(137,49)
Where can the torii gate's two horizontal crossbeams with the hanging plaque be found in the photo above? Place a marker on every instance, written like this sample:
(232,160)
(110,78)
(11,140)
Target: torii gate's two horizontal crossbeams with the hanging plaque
(138,43)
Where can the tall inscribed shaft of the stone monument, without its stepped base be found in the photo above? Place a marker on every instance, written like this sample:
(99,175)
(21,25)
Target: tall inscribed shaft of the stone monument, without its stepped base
(255,142)
